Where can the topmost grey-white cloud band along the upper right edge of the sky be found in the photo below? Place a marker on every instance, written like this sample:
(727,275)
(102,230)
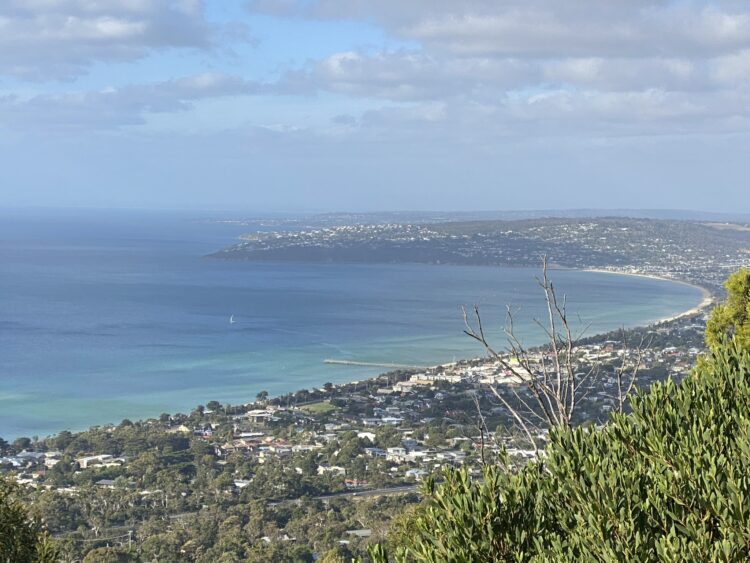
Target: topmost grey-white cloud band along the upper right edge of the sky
(546,27)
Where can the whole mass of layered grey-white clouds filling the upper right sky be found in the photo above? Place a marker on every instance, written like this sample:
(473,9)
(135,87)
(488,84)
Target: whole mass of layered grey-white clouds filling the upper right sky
(540,67)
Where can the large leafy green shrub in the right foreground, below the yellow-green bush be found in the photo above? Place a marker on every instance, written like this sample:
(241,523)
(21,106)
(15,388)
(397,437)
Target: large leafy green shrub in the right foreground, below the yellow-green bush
(668,482)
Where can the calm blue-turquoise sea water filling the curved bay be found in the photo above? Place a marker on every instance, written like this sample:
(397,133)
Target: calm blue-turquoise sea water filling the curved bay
(108,315)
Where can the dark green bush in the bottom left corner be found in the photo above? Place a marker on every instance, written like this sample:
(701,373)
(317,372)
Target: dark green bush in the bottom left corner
(21,537)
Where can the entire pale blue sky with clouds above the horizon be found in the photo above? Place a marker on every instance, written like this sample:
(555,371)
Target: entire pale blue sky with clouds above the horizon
(354,105)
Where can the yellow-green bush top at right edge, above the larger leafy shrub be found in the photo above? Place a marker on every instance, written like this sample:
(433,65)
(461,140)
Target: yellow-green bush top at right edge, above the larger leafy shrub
(731,319)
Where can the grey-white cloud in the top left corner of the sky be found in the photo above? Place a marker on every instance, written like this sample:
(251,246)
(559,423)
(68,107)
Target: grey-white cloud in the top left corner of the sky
(60,39)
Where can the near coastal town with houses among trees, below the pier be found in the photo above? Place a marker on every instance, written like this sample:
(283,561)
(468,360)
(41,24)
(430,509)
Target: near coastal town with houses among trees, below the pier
(357,447)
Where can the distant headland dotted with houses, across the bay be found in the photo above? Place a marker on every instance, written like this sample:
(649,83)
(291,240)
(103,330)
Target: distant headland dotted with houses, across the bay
(698,252)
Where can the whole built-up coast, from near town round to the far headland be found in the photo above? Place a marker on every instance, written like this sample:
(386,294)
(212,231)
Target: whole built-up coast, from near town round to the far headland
(327,471)
